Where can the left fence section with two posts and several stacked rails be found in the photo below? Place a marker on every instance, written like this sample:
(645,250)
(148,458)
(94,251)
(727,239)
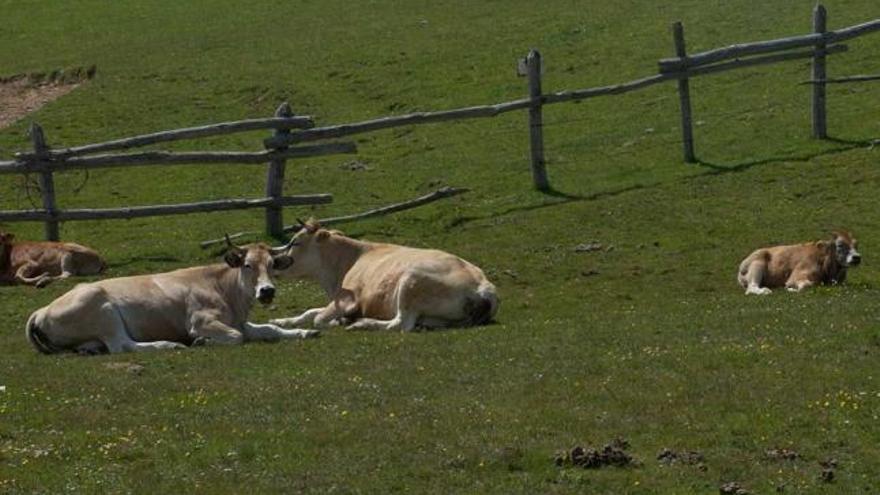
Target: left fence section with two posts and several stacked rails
(46,161)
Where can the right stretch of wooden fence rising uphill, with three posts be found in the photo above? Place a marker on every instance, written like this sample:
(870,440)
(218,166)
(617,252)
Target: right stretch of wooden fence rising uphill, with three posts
(680,68)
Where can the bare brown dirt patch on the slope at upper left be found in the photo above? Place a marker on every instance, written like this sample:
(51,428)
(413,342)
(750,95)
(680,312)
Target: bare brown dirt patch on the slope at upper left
(22,94)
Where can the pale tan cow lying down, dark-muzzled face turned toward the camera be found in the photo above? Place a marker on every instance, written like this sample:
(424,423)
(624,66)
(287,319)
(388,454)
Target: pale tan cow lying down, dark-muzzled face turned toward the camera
(166,310)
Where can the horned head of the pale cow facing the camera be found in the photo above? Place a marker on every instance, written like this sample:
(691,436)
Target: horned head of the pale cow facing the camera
(256,264)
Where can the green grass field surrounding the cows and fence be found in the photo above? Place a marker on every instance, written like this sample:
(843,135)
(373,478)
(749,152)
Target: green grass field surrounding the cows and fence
(650,340)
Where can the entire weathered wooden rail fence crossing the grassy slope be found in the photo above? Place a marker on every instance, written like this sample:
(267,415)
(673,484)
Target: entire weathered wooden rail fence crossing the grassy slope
(290,131)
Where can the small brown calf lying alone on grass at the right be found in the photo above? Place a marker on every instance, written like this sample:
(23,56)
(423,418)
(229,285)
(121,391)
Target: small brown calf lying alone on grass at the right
(799,266)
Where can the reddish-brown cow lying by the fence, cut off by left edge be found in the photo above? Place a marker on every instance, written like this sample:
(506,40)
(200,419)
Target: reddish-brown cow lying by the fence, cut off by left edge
(39,263)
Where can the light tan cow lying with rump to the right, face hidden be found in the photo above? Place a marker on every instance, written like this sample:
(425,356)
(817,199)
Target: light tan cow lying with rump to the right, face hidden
(385,286)
